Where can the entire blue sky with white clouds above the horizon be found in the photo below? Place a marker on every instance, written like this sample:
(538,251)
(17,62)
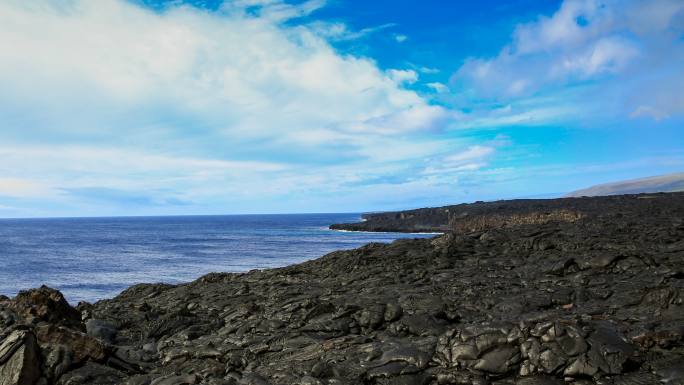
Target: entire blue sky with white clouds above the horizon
(150,107)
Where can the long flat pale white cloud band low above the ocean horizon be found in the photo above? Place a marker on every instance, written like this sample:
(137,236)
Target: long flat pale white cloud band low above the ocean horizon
(68,176)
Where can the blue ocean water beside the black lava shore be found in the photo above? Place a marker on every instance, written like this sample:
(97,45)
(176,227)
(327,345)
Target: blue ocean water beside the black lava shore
(95,258)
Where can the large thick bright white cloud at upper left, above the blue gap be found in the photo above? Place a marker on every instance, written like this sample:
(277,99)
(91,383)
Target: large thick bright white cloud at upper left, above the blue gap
(250,74)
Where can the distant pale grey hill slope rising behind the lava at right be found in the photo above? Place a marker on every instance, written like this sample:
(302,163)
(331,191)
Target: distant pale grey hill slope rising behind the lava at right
(661,183)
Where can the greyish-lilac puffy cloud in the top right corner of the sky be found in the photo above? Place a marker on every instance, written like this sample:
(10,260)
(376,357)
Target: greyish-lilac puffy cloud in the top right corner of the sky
(615,45)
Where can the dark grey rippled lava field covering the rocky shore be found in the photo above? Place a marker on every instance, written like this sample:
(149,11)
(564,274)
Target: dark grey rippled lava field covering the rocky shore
(569,291)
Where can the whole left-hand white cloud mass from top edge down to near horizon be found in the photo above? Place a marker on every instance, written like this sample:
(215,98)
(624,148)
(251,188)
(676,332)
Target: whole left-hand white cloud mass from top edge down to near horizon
(195,105)
